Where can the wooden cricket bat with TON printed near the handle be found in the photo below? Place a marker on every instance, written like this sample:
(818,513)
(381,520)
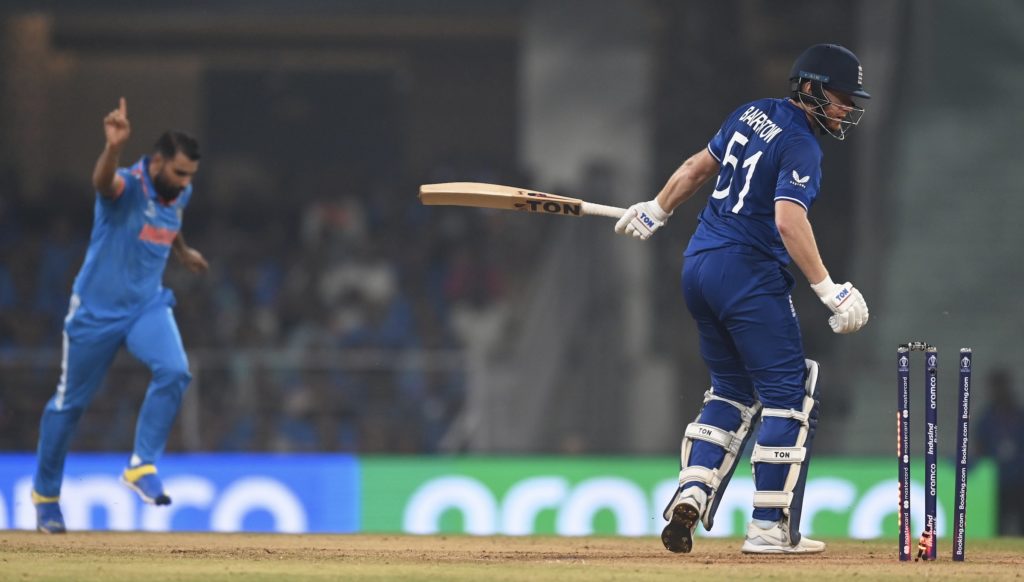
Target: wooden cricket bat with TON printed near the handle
(482,195)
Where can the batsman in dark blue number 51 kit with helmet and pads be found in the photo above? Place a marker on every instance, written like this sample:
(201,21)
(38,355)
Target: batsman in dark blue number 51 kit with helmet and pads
(737,287)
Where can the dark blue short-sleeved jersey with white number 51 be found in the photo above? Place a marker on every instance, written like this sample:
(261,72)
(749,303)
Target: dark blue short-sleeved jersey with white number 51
(769,152)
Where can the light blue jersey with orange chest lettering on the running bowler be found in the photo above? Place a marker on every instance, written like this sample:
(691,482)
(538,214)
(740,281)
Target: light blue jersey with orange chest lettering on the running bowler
(129,250)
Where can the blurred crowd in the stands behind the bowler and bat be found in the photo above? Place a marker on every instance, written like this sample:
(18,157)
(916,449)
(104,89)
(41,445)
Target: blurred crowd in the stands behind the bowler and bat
(334,316)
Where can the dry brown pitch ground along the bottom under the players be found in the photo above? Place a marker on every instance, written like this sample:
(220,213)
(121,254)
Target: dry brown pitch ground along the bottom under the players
(112,557)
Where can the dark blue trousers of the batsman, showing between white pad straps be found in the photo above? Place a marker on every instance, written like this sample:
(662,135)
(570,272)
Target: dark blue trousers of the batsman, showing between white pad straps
(751,343)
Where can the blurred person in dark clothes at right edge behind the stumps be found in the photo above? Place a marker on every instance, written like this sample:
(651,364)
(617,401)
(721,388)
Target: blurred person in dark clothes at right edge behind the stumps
(1001,436)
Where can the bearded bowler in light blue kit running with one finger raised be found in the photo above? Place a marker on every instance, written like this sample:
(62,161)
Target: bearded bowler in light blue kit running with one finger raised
(118,300)
